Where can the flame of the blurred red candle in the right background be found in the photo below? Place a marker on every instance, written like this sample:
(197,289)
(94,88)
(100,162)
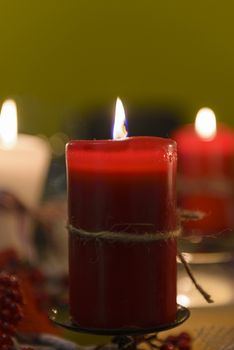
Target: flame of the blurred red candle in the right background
(205,124)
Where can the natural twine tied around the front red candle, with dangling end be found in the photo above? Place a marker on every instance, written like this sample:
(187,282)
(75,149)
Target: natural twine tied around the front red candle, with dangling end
(127,237)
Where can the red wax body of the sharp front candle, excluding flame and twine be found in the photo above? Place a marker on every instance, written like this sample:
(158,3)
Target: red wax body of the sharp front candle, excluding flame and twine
(126,185)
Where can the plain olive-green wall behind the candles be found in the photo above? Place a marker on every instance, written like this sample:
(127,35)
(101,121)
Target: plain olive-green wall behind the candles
(57,56)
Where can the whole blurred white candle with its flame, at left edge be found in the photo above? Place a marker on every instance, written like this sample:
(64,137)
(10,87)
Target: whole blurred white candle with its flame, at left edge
(24,162)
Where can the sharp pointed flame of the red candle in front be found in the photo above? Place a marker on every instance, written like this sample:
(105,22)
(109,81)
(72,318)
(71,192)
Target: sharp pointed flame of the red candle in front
(119,130)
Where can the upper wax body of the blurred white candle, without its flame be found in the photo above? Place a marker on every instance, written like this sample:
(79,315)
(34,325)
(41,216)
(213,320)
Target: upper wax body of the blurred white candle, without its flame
(24,167)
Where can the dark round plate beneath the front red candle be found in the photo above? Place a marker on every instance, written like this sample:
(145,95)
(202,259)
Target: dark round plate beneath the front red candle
(61,317)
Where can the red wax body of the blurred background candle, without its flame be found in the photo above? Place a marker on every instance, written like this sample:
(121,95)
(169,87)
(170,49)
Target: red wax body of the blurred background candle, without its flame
(206,173)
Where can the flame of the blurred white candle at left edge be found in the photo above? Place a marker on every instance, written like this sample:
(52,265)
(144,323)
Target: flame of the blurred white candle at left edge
(8,124)
